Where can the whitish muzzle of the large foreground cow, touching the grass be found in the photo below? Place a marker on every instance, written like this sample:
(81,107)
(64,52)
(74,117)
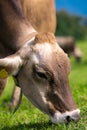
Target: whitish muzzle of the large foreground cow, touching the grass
(66,117)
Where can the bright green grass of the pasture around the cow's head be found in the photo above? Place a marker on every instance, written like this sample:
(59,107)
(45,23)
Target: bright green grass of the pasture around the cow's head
(30,118)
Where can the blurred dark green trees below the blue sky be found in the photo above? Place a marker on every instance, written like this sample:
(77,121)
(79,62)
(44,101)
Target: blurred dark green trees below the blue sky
(71,25)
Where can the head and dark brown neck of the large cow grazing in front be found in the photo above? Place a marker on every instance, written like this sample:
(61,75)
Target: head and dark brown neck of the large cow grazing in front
(39,65)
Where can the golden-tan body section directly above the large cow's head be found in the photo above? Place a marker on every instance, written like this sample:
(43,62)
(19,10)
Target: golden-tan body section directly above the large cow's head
(41,14)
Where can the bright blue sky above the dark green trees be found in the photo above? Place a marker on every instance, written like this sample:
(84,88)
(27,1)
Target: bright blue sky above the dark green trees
(78,7)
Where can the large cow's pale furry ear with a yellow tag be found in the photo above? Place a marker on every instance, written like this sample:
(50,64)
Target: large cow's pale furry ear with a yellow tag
(10,65)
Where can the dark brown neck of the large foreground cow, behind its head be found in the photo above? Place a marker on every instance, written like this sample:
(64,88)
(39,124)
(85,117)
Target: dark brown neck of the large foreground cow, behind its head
(14,27)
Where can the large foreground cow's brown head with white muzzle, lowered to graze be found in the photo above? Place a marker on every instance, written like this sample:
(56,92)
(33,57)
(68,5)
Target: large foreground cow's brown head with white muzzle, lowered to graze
(42,69)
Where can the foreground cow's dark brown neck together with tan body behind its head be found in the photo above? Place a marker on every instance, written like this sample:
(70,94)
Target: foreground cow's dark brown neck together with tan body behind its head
(15,22)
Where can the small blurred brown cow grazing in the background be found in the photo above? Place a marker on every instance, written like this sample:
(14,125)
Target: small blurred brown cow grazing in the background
(69,47)
